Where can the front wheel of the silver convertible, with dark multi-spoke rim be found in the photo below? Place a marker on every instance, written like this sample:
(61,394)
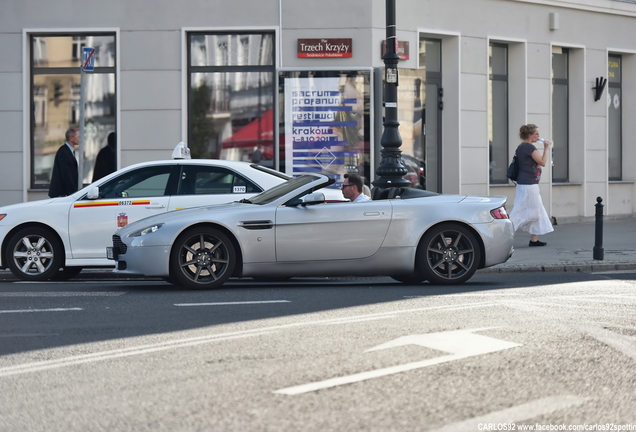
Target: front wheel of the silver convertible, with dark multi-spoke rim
(202,258)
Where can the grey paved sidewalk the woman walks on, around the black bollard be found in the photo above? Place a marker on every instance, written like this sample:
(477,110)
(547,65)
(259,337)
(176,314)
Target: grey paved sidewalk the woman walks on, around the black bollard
(569,248)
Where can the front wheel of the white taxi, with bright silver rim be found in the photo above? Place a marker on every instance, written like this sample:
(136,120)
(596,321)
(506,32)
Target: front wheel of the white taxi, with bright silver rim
(34,254)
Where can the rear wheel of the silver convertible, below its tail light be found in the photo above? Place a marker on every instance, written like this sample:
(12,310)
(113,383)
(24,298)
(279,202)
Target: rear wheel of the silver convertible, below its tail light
(449,254)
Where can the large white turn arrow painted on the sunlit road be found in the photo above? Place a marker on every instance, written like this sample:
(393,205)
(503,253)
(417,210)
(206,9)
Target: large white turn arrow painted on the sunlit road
(461,343)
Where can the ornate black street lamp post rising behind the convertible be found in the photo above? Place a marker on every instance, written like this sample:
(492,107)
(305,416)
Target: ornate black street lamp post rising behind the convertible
(391,171)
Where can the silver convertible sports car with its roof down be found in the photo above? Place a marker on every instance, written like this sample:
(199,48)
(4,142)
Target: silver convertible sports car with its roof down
(289,230)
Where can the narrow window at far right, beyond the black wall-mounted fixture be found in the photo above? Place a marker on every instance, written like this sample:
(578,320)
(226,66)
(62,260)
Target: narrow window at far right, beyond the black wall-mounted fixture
(615,117)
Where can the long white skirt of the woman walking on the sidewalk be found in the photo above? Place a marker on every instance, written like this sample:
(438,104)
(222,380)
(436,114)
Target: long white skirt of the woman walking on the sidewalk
(528,213)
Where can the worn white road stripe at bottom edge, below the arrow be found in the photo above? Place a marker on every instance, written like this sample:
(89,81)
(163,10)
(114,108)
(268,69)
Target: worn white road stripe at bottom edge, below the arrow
(516,413)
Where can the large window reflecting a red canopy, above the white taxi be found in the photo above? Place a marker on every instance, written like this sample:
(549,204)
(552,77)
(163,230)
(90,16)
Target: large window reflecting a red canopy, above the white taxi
(231,96)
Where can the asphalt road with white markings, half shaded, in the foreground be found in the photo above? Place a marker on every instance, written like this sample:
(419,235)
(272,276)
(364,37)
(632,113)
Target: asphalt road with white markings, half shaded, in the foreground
(502,352)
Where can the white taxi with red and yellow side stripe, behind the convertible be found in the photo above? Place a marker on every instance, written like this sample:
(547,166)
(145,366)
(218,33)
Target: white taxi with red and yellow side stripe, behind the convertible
(56,238)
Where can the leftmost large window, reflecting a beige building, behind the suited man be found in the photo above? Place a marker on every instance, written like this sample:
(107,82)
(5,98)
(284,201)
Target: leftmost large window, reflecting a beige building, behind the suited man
(55,99)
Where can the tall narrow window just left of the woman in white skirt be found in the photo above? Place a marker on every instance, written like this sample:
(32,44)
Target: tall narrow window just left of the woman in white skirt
(498,113)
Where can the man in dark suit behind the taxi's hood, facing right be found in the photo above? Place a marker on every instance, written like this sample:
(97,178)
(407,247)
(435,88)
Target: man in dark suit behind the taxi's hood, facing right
(64,177)
